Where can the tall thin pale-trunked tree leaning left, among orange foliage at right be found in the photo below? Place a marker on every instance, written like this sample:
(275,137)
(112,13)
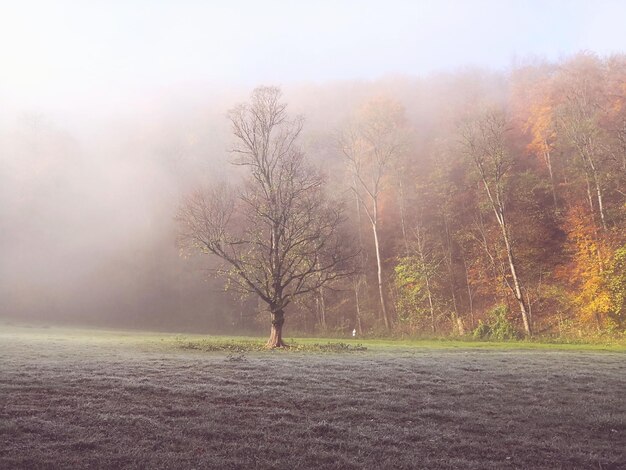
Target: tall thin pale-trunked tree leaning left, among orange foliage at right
(483,140)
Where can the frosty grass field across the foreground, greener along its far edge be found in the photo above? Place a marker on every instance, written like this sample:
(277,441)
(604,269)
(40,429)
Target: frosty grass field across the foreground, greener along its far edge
(86,399)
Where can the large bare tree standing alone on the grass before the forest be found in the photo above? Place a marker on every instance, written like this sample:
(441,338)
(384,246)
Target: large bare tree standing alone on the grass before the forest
(278,234)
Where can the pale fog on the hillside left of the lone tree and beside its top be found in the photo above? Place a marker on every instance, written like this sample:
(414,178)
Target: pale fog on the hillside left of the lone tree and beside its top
(88,229)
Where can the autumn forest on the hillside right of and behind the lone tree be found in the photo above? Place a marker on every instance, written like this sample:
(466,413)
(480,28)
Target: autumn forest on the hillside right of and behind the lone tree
(501,215)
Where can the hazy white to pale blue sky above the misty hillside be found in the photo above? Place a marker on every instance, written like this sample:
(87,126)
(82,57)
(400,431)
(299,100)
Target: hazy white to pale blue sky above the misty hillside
(66,55)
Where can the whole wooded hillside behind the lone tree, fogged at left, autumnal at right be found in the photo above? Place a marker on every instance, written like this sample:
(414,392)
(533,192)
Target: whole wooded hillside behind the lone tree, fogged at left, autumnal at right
(481,203)
